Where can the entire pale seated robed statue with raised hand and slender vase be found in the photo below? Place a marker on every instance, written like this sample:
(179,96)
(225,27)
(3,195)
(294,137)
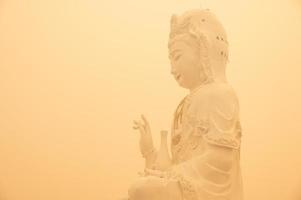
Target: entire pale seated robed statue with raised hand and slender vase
(206,132)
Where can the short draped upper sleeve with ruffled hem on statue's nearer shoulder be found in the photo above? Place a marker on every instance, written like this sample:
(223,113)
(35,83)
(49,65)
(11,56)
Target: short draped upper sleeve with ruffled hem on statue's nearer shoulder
(219,122)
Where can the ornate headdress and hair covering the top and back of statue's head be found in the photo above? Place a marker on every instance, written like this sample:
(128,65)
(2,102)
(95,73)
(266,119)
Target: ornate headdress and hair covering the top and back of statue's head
(208,33)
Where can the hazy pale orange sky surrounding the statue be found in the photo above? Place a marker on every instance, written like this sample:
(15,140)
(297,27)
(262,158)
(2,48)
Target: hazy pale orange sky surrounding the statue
(75,74)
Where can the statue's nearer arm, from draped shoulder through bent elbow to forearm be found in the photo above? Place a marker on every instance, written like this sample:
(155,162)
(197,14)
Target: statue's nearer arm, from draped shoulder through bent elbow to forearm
(216,129)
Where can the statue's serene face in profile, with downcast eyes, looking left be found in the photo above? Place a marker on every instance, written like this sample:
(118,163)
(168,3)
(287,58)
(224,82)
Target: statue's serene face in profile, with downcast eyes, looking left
(184,58)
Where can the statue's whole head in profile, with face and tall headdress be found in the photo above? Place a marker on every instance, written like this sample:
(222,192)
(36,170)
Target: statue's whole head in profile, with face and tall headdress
(198,48)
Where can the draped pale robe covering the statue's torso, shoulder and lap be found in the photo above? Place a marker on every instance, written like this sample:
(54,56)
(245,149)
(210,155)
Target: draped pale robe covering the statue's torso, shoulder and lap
(208,115)
